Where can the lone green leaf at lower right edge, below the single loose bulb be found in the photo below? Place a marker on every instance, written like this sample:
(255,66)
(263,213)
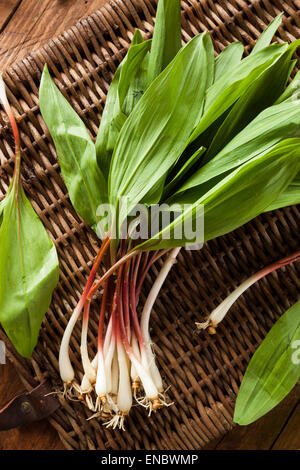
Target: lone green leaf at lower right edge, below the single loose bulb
(273,370)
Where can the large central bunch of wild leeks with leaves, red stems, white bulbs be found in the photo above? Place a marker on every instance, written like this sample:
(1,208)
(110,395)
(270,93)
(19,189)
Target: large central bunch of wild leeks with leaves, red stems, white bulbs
(184,131)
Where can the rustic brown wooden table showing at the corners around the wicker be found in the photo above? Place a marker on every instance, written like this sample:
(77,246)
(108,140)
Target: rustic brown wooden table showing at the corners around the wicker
(25,25)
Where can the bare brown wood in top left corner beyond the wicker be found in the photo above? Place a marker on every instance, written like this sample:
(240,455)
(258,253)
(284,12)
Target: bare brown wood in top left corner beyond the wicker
(35,23)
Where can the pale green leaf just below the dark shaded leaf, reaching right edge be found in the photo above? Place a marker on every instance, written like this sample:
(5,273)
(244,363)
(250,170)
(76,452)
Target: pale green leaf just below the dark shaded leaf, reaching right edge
(274,124)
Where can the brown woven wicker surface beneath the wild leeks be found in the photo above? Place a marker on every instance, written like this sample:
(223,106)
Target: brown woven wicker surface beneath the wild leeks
(204,372)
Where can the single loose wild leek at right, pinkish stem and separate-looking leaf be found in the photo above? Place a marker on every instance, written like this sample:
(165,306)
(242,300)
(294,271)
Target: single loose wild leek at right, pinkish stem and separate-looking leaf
(275,367)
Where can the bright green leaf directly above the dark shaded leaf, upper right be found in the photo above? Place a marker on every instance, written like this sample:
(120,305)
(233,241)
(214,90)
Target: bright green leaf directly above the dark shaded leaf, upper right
(225,91)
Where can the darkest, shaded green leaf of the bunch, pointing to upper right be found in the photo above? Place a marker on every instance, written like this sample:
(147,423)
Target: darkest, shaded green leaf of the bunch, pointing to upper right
(261,94)
